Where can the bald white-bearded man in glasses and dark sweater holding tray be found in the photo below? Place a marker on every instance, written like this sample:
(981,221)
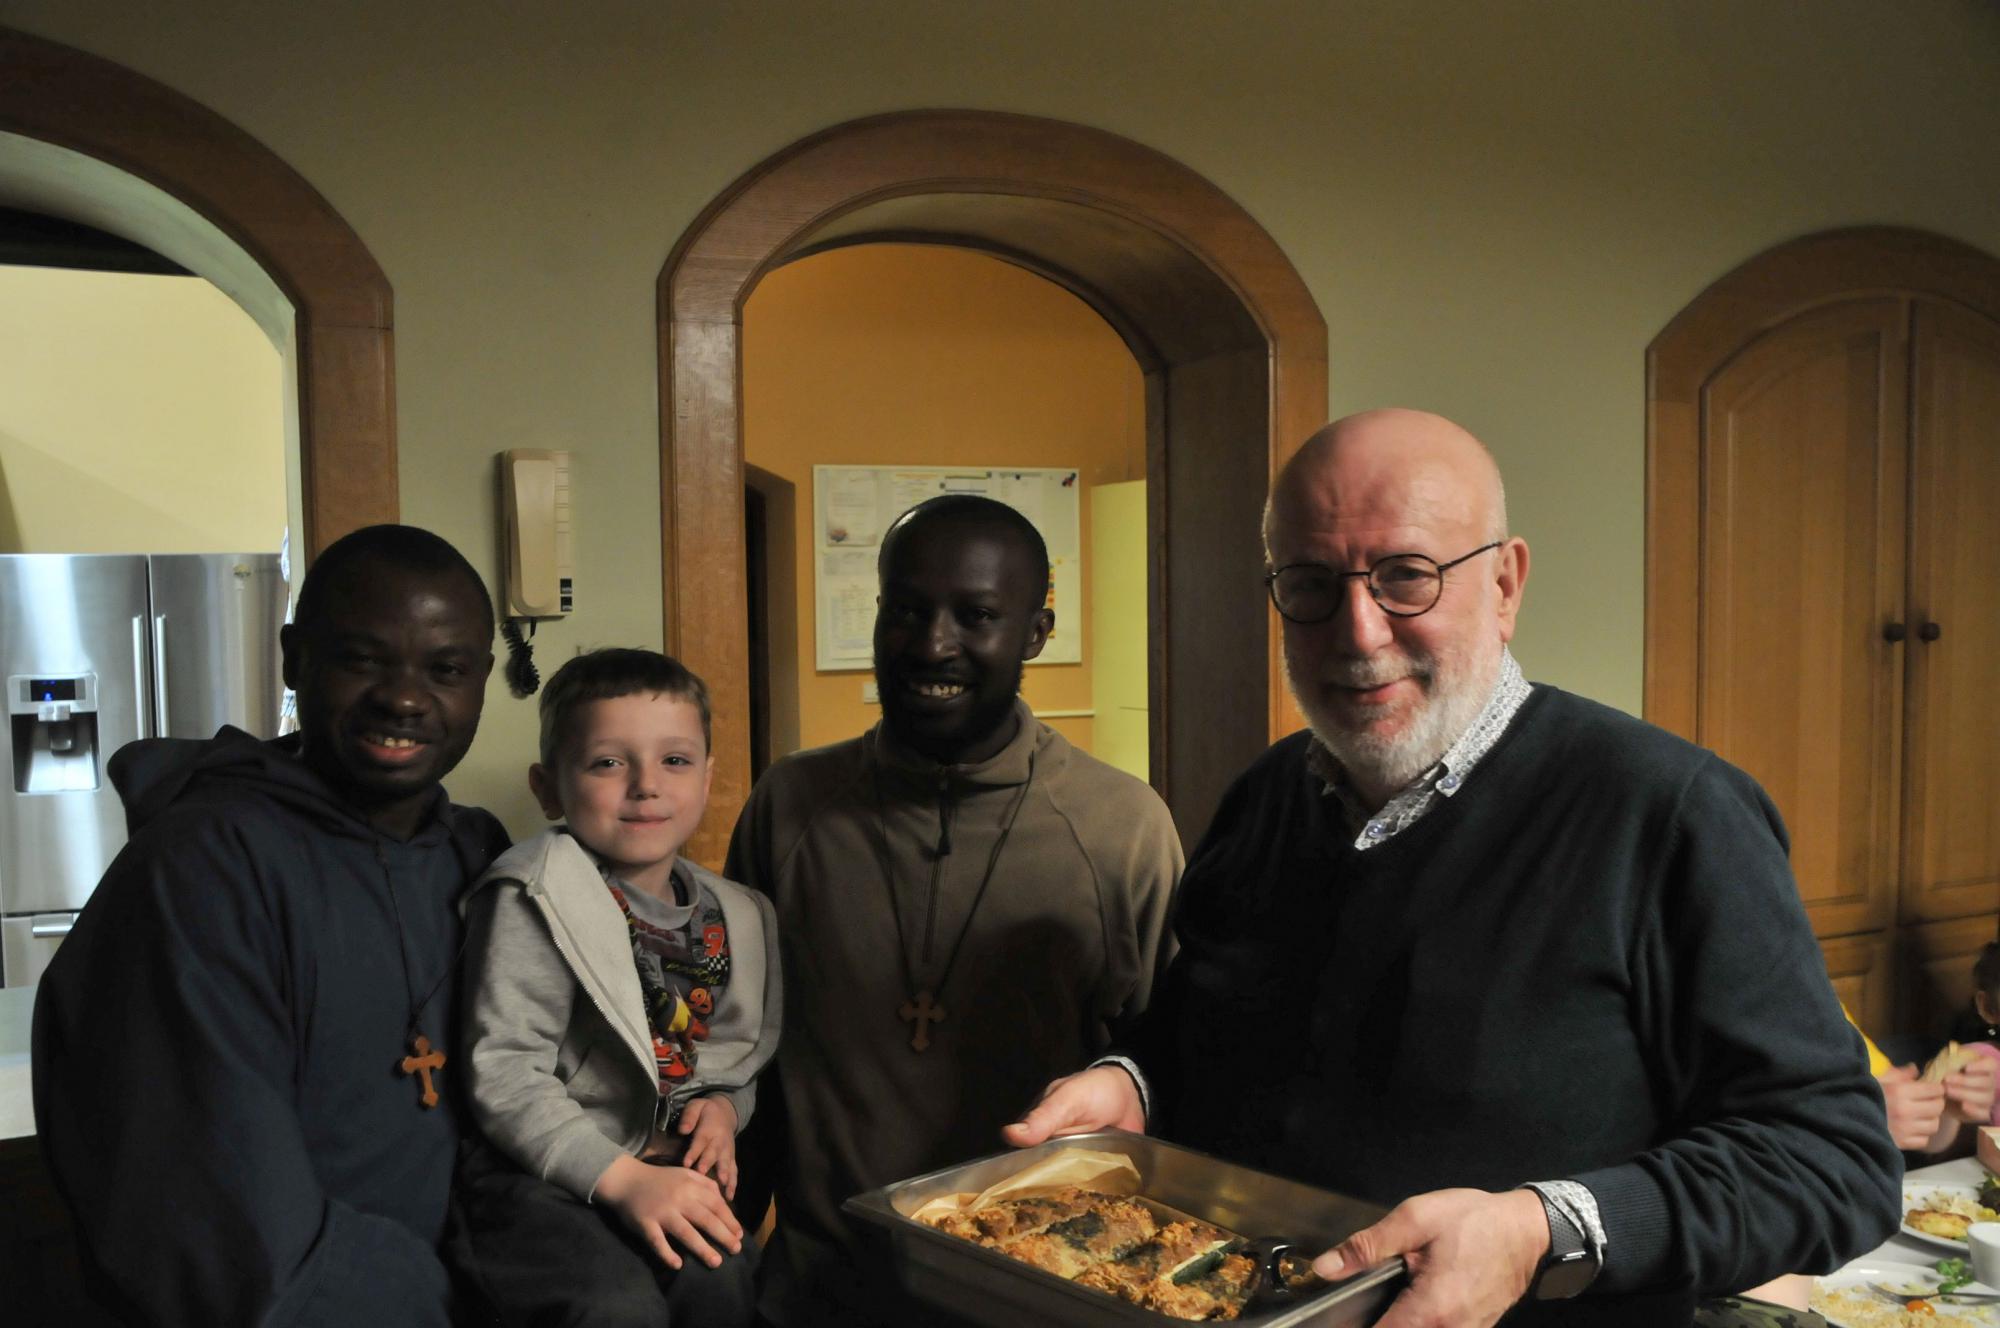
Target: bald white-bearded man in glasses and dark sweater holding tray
(1519,965)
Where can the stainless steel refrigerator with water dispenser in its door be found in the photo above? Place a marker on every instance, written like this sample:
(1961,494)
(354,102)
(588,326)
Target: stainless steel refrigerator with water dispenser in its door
(99,651)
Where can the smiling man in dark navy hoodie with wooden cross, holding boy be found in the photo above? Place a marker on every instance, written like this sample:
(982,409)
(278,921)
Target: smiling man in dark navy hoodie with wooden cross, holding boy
(243,1055)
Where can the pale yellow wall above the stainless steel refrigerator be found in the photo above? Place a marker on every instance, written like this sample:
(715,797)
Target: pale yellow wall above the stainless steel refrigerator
(139,415)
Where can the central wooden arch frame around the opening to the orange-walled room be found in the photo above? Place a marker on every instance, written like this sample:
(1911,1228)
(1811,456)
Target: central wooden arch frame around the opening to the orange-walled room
(1227,335)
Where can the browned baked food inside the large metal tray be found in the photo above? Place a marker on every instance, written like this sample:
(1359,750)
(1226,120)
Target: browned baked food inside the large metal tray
(1121,1247)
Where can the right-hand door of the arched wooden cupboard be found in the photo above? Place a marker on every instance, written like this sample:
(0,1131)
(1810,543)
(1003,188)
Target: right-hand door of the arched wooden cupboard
(1953,795)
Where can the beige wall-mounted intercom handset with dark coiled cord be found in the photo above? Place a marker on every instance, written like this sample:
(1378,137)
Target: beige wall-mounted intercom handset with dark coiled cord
(537,551)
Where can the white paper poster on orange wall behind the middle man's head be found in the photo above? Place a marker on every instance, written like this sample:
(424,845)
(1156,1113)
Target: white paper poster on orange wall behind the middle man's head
(853,509)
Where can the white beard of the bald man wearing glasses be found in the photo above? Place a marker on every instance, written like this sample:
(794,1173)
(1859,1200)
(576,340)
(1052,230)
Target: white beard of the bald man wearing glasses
(1455,691)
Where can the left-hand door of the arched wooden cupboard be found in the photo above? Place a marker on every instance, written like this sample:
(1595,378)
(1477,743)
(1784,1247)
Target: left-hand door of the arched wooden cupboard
(1801,565)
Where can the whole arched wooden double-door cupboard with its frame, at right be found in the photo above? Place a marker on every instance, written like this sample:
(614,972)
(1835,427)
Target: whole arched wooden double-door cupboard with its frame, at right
(1823,509)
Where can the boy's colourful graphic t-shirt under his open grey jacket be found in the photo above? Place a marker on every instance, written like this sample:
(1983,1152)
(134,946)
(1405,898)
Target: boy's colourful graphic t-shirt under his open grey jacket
(683,955)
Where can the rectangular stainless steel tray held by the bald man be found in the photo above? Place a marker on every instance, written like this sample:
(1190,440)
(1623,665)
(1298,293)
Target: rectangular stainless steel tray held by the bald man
(993,1289)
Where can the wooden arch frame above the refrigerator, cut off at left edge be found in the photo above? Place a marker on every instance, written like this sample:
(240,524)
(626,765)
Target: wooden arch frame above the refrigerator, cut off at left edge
(341,299)
